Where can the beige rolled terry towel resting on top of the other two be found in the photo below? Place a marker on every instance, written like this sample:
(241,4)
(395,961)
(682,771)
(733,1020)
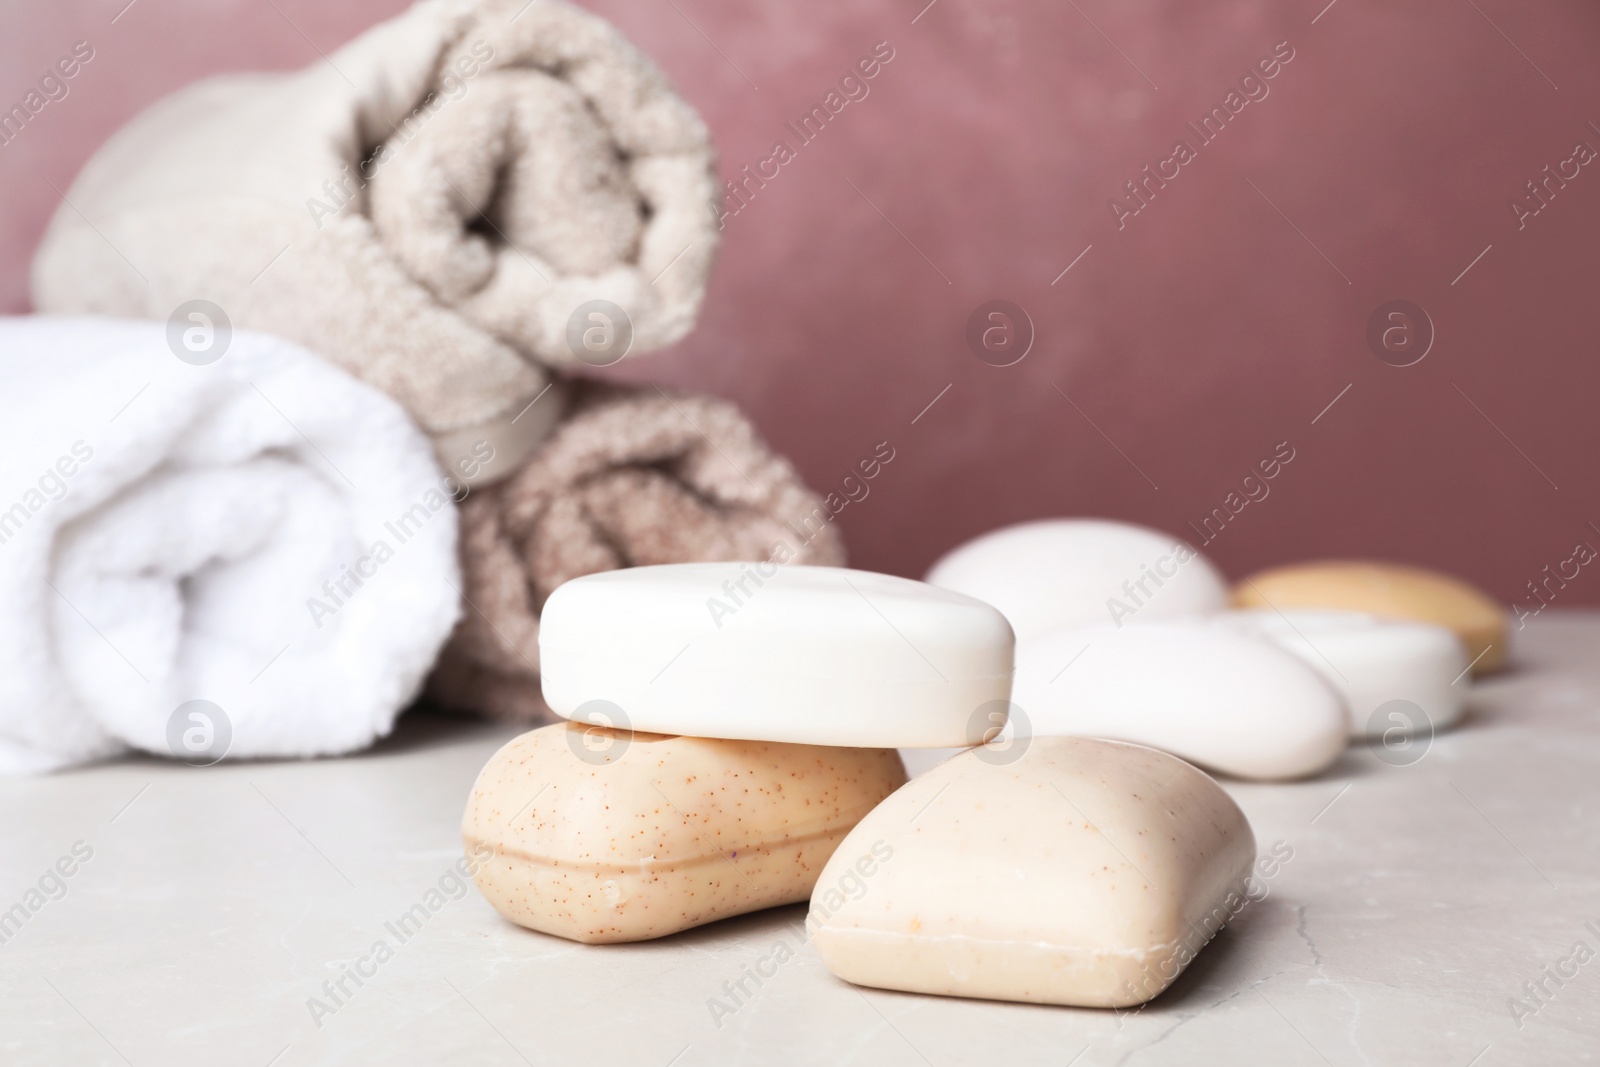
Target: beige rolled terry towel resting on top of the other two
(428,207)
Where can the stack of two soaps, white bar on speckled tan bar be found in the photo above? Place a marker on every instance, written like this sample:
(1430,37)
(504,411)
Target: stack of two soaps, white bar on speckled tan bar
(729,725)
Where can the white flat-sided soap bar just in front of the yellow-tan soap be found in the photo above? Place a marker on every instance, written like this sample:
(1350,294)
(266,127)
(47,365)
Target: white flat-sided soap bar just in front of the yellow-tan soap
(1372,663)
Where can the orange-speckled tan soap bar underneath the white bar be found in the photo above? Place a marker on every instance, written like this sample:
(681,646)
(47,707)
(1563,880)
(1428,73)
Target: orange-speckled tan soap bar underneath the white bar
(606,836)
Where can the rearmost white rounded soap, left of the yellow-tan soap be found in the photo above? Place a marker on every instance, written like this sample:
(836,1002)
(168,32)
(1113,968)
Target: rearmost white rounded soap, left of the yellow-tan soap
(1068,572)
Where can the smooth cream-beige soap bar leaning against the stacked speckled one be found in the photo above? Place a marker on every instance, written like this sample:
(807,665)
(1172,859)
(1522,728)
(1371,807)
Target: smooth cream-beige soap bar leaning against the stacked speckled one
(1082,873)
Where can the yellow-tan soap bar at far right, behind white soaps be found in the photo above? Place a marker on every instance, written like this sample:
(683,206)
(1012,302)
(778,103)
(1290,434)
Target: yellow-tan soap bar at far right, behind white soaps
(1391,591)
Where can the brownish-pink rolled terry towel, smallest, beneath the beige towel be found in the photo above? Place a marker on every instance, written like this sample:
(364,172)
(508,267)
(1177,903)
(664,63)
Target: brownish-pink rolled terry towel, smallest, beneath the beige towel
(630,479)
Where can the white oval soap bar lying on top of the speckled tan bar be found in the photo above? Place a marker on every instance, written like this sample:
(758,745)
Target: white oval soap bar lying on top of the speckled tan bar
(766,652)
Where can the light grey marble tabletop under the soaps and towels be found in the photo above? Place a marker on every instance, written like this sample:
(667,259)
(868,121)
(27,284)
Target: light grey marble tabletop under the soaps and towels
(215,903)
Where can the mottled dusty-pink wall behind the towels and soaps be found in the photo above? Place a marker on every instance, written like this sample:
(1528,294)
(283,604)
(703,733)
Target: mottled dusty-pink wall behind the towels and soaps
(1196,340)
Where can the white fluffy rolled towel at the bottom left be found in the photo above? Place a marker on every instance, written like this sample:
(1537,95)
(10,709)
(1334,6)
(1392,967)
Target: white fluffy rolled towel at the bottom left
(252,556)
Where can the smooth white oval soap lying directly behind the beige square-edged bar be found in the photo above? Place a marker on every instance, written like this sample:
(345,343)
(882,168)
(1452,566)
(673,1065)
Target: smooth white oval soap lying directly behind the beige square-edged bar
(1233,703)
